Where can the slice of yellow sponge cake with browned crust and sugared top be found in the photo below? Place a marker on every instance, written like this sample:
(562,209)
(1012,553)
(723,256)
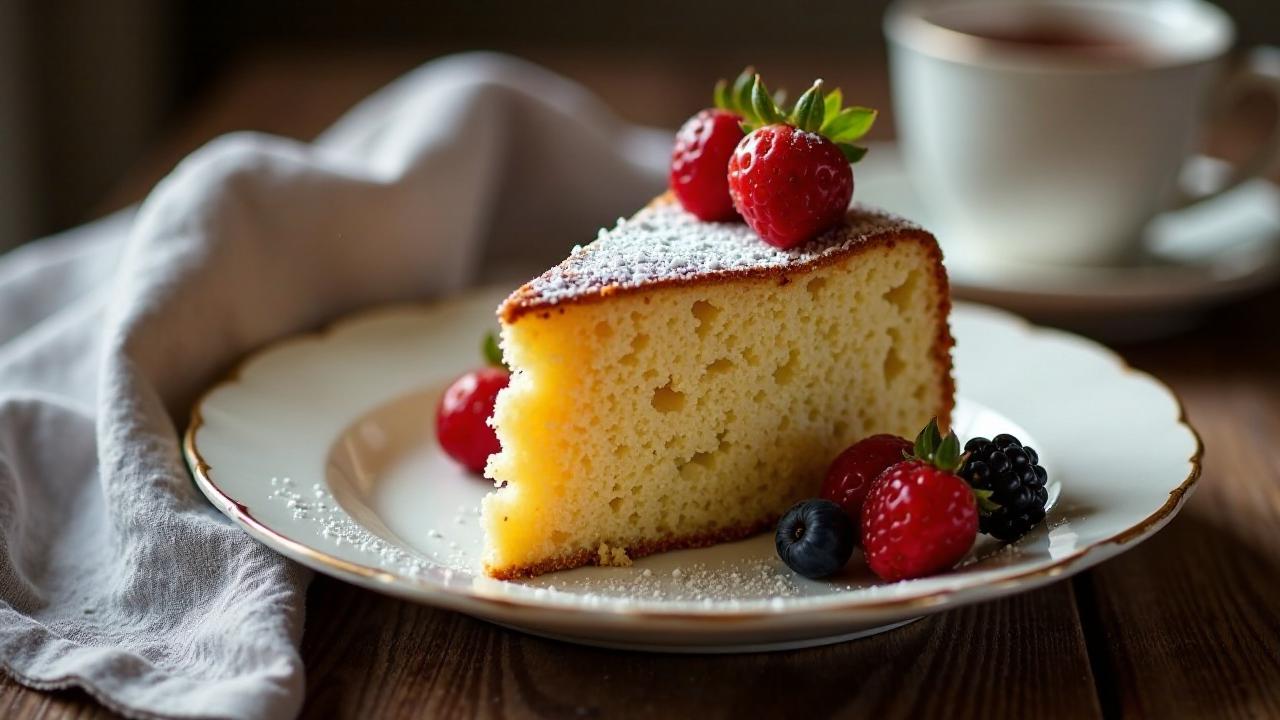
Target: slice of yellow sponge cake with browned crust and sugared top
(679,384)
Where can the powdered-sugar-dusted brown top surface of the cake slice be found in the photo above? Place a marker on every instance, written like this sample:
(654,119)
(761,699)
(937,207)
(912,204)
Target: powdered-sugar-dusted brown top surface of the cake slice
(664,243)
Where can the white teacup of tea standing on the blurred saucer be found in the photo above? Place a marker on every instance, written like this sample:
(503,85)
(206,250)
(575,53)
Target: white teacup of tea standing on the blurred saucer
(1053,131)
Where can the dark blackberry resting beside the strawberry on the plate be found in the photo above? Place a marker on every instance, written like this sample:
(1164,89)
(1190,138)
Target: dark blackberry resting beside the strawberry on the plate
(1012,473)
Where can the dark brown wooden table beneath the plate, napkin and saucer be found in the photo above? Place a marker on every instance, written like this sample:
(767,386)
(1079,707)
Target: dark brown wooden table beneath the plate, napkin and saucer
(1188,625)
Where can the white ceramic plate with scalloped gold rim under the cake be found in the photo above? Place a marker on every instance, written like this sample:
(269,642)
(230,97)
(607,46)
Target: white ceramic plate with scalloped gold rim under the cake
(323,449)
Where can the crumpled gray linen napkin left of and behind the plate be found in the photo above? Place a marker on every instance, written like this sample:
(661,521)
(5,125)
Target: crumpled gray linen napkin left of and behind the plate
(116,576)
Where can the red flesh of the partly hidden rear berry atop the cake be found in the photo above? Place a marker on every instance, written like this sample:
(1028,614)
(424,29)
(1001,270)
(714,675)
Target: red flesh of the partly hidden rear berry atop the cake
(700,165)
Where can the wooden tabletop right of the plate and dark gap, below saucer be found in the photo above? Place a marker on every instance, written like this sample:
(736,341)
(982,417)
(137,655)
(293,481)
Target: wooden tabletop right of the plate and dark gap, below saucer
(1191,621)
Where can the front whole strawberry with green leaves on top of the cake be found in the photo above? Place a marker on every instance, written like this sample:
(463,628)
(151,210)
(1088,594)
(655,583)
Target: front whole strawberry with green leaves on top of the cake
(790,177)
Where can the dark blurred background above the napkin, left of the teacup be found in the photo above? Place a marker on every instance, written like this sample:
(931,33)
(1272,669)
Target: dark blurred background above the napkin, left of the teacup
(88,86)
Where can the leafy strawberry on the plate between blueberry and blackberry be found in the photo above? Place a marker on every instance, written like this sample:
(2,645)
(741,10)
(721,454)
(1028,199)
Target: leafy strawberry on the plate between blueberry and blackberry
(921,517)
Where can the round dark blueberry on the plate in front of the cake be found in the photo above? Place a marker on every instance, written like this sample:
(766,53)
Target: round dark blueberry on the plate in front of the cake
(815,539)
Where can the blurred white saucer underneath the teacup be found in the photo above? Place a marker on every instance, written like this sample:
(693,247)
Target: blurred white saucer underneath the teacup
(1196,258)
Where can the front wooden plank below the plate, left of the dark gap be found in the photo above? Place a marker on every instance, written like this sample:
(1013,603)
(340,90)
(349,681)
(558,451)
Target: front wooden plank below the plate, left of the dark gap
(385,658)
